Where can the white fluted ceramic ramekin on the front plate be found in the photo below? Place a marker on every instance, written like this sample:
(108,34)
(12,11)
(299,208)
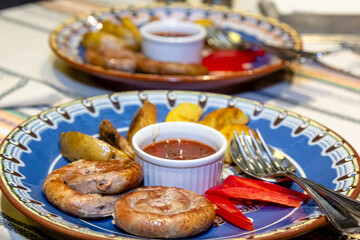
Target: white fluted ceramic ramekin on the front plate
(197,175)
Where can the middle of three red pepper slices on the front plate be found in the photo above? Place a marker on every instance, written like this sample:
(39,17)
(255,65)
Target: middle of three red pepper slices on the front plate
(246,193)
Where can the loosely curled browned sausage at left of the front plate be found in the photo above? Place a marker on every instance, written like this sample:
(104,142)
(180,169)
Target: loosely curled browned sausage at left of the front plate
(91,180)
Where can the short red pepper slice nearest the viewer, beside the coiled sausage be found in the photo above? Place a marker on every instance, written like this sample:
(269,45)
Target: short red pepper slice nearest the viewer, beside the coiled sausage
(230,212)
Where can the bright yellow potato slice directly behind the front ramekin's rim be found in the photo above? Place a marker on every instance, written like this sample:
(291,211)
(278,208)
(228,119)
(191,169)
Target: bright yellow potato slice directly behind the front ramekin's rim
(187,112)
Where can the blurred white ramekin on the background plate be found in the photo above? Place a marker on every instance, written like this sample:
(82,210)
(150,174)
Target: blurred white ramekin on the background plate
(173,49)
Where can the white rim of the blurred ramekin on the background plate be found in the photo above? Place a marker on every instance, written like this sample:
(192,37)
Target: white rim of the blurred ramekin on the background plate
(145,31)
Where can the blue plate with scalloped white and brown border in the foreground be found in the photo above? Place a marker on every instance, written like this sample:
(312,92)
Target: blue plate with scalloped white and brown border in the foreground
(31,152)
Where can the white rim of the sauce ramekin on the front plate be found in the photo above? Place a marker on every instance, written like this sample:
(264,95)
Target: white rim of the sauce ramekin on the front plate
(181,163)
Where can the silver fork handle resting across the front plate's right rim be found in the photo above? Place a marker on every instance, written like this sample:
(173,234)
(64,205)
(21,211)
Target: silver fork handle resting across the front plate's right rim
(340,217)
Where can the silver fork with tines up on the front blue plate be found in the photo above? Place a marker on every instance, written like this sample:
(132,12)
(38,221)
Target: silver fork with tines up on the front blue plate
(257,159)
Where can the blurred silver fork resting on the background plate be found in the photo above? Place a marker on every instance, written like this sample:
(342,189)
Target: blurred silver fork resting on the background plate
(222,39)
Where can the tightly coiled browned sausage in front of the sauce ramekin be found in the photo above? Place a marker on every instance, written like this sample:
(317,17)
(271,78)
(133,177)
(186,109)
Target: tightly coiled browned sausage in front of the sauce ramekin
(164,212)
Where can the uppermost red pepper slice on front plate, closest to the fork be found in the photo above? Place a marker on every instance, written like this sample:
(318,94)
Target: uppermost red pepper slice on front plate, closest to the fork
(236,181)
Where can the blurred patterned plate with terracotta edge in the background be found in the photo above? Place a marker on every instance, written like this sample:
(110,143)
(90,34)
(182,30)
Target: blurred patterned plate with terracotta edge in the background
(65,42)
